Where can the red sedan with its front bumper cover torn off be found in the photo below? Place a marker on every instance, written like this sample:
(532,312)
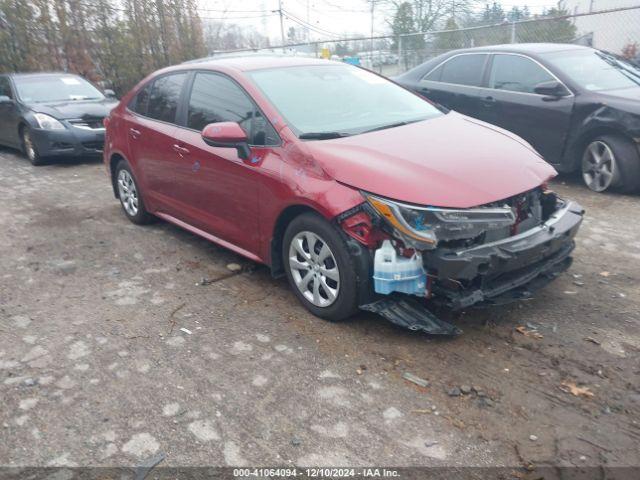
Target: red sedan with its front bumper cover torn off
(364,194)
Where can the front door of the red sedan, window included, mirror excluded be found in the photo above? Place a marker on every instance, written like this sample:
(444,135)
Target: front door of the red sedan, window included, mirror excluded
(223,189)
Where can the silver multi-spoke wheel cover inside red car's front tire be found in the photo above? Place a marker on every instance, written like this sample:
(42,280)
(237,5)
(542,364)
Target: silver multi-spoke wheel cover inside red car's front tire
(314,269)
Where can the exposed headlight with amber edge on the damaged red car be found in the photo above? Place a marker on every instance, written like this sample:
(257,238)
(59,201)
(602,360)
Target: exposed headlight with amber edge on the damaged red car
(423,227)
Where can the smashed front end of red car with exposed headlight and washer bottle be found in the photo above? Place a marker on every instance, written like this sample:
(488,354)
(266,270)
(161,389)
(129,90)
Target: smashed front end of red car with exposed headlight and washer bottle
(488,255)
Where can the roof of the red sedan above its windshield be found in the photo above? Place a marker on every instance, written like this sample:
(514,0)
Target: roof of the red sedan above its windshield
(257,62)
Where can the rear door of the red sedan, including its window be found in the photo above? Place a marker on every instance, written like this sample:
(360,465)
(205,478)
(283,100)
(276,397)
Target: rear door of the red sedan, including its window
(153,145)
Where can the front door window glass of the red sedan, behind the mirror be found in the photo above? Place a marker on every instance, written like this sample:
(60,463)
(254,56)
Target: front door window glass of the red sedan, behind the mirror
(216,98)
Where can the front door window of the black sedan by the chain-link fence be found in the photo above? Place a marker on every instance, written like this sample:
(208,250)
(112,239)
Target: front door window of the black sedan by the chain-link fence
(517,74)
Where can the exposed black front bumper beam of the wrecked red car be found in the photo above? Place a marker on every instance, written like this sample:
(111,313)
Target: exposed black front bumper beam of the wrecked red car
(510,268)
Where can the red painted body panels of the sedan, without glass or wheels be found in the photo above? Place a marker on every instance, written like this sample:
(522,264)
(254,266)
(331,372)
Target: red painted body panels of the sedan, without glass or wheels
(451,161)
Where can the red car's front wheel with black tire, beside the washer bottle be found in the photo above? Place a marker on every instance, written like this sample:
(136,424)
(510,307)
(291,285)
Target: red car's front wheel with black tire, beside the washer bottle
(319,268)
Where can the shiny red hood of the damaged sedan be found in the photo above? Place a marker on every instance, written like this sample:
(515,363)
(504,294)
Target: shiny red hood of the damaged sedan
(449,161)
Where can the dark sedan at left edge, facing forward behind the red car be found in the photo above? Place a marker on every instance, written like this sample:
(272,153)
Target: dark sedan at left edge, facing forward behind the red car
(52,114)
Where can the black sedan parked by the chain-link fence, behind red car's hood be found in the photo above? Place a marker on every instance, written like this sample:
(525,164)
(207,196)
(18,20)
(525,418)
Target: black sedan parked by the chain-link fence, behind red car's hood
(579,107)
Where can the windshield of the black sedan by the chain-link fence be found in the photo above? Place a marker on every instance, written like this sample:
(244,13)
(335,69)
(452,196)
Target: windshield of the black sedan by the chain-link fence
(595,70)
